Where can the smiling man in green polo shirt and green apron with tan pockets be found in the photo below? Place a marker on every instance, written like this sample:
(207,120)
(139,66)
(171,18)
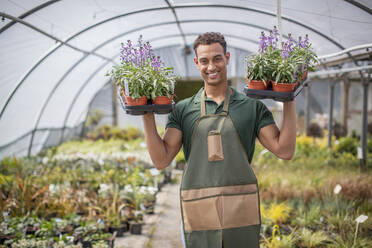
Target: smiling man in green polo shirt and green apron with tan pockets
(217,128)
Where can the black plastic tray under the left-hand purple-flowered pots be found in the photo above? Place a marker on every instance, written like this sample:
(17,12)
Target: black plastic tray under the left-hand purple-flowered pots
(141,110)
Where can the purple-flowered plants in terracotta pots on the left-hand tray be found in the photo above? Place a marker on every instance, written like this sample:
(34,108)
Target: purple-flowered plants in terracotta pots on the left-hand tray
(141,75)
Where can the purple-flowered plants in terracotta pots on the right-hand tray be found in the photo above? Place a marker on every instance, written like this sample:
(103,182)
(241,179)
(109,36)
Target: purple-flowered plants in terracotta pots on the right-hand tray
(283,67)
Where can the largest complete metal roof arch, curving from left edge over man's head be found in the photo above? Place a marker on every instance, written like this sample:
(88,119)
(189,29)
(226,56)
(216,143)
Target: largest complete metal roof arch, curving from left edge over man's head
(150,10)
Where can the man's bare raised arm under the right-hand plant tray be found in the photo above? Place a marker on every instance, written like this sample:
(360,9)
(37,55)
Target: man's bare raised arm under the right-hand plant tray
(282,143)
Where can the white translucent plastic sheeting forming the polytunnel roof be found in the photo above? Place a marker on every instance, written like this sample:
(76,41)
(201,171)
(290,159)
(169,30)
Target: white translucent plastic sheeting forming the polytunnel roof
(54,54)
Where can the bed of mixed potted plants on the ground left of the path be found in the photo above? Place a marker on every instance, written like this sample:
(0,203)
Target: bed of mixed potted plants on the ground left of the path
(113,190)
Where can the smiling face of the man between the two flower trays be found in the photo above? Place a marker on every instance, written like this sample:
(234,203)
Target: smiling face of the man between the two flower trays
(211,62)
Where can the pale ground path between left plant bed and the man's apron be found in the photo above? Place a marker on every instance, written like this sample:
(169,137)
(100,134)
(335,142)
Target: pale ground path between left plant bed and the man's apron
(163,229)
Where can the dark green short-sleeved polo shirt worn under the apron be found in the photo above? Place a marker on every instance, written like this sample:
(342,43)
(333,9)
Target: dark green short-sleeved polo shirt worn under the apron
(248,116)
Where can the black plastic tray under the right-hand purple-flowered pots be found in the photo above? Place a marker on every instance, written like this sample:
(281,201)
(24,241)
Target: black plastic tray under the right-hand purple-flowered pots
(276,96)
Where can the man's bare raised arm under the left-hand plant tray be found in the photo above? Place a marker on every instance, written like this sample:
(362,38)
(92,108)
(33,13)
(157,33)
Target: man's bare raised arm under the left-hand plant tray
(162,150)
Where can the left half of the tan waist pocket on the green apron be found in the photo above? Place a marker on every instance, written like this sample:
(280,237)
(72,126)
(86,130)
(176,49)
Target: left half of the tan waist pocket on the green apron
(202,214)
